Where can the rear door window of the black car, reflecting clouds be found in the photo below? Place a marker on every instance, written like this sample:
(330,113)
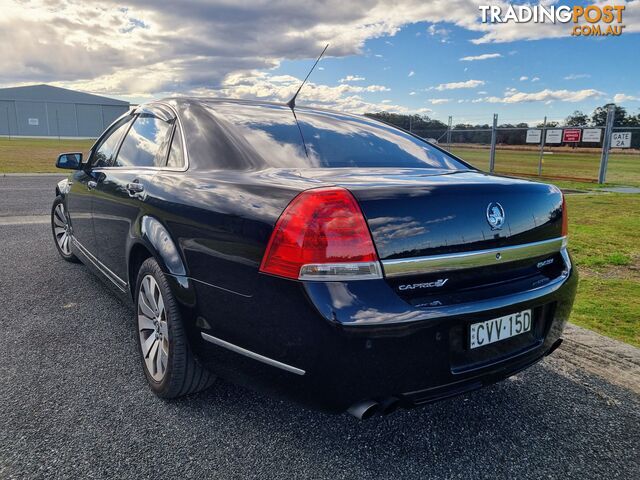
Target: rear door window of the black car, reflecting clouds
(146,143)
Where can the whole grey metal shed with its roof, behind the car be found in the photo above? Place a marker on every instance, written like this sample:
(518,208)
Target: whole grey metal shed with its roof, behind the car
(47,111)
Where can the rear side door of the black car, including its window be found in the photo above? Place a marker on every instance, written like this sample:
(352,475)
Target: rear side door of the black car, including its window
(121,195)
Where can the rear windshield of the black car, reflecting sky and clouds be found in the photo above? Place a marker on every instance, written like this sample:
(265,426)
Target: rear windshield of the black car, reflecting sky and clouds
(330,140)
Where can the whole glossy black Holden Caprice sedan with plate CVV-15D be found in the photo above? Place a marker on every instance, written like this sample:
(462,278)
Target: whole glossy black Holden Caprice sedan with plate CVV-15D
(329,258)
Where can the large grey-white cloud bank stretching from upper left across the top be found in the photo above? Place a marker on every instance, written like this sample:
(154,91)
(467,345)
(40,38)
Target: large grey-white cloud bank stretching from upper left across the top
(153,48)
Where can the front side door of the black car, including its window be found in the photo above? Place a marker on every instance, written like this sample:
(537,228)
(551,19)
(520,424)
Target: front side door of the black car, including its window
(83,183)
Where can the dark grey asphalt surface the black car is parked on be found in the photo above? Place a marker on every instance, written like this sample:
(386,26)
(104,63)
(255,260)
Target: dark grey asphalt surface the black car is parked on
(73,400)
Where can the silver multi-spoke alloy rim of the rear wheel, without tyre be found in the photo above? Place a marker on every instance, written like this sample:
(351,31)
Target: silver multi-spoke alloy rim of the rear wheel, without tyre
(153,328)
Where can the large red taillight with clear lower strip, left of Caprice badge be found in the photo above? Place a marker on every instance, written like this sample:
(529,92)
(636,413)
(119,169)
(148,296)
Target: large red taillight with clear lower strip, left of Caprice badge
(322,235)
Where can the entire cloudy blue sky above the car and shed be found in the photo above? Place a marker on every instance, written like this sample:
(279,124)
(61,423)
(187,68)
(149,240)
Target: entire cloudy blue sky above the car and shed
(428,57)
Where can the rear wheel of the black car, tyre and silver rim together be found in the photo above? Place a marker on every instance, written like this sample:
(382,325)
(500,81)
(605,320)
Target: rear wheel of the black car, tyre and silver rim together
(169,365)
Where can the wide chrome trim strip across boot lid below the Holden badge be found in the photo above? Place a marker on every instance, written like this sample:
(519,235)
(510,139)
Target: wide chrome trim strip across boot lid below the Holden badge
(475,259)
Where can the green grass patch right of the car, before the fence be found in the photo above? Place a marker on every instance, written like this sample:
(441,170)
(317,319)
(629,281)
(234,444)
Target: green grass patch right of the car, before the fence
(603,240)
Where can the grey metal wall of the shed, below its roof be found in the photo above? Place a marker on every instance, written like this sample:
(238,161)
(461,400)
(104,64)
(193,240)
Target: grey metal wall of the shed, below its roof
(53,119)
